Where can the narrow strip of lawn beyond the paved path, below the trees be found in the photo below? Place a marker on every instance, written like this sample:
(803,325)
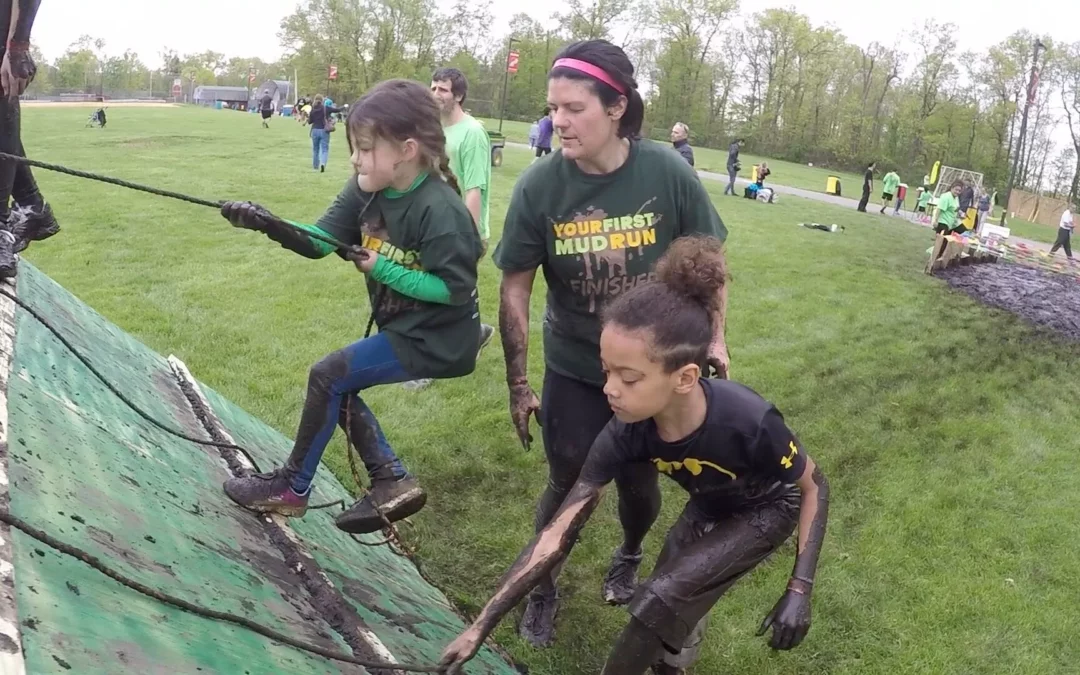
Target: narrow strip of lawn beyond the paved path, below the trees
(708,159)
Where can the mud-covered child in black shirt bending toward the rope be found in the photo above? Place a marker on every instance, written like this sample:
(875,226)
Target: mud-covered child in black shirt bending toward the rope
(749,479)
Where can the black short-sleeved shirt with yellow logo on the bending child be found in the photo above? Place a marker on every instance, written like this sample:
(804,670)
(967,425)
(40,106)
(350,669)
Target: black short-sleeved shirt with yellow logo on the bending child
(742,456)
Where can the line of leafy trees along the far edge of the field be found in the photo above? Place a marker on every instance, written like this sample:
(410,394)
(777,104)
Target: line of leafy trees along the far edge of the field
(792,90)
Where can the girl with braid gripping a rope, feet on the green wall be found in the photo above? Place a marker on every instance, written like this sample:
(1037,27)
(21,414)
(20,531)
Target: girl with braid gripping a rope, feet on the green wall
(411,235)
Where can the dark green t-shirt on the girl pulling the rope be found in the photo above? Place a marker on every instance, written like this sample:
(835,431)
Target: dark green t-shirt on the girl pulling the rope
(426,228)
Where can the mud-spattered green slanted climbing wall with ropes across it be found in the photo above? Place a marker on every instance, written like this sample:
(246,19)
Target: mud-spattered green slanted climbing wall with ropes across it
(88,469)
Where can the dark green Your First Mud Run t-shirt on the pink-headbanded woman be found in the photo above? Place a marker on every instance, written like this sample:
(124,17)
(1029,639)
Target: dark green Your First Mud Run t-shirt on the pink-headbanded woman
(598,236)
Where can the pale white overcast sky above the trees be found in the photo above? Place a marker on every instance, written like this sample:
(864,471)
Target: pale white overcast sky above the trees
(250,28)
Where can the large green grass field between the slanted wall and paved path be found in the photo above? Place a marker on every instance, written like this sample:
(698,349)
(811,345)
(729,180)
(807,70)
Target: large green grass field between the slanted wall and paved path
(948,430)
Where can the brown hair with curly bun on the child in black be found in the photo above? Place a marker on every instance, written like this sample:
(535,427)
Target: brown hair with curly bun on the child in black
(678,308)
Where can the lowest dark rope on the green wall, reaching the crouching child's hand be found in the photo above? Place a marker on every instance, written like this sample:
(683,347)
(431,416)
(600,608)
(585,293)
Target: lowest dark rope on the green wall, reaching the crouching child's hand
(202,612)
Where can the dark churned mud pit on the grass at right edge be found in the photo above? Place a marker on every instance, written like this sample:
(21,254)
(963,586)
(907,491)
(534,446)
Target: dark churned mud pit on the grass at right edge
(1044,299)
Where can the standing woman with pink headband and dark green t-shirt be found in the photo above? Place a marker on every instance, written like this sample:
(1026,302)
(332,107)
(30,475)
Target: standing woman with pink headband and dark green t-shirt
(596,217)
